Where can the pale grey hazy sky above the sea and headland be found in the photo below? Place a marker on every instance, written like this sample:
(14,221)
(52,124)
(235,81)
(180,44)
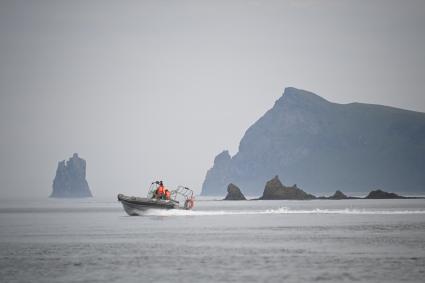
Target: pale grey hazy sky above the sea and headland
(148,90)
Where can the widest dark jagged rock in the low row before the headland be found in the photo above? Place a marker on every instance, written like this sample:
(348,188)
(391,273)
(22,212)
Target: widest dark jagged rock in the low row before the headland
(276,190)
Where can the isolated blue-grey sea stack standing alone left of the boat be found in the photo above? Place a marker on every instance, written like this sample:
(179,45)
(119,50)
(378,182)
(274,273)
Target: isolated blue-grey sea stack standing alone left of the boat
(70,180)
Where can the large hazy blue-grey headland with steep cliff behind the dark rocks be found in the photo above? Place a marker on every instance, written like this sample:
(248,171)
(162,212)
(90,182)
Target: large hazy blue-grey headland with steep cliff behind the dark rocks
(321,145)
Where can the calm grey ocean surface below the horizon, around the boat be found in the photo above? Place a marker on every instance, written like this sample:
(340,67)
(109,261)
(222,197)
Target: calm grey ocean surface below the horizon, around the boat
(93,240)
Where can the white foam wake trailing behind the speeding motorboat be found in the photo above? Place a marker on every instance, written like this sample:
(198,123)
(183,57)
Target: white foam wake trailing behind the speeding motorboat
(282,210)
